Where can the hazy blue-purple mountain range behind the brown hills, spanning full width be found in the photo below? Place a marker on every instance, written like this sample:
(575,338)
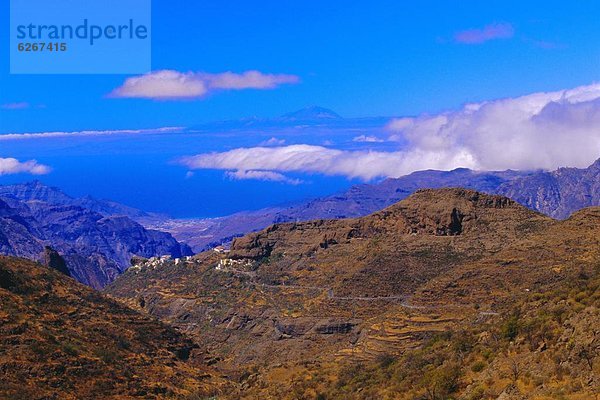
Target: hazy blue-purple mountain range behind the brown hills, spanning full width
(98,237)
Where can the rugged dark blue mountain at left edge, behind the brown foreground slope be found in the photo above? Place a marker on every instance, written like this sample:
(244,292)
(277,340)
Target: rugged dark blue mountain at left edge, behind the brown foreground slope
(96,248)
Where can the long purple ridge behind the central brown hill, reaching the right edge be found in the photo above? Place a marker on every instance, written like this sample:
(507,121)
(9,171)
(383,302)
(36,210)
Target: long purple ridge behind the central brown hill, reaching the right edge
(557,194)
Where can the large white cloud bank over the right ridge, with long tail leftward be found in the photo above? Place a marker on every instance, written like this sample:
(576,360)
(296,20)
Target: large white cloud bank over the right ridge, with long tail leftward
(541,130)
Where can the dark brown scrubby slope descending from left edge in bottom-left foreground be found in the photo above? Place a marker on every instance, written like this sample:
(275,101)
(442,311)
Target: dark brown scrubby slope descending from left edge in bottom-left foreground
(62,340)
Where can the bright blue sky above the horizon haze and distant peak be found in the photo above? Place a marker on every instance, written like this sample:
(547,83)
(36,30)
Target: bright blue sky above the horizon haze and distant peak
(363,58)
